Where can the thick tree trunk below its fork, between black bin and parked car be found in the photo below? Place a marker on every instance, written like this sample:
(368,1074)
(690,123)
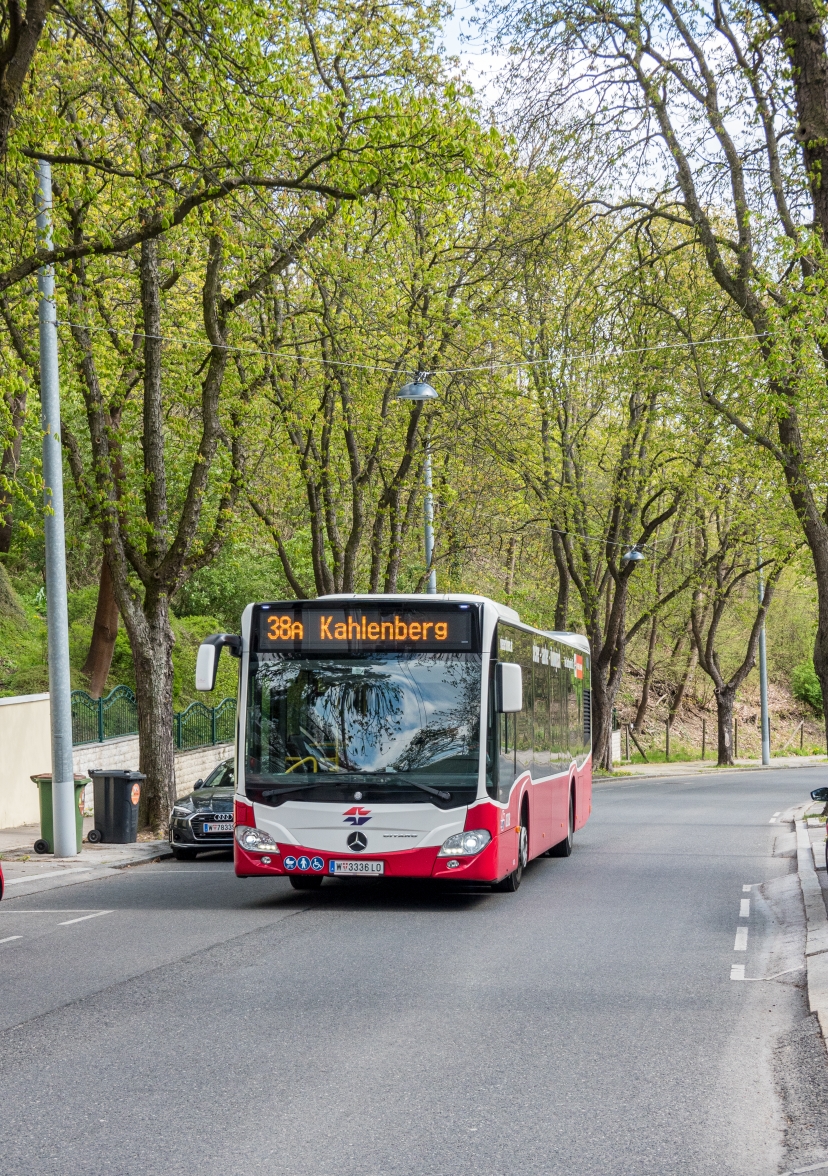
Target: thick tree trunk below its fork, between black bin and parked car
(152,642)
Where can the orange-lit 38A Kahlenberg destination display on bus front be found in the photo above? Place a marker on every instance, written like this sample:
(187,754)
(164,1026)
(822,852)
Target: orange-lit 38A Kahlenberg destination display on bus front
(343,630)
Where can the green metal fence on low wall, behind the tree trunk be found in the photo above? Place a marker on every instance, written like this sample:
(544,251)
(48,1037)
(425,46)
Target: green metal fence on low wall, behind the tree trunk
(97,720)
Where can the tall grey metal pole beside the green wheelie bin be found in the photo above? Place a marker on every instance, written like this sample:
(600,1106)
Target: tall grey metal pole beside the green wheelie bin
(61,686)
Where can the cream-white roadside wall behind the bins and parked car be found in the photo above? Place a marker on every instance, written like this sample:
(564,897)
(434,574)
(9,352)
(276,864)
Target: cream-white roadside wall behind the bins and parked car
(26,750)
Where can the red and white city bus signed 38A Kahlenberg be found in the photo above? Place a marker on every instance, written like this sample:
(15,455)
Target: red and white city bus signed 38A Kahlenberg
(405,737)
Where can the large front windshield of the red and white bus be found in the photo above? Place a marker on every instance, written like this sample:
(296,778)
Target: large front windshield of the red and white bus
(386,720)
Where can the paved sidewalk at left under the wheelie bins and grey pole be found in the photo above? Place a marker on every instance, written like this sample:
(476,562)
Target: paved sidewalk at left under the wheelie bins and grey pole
(29,873)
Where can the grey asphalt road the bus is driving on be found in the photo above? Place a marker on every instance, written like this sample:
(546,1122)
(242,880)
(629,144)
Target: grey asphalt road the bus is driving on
(587,1025)
